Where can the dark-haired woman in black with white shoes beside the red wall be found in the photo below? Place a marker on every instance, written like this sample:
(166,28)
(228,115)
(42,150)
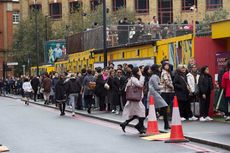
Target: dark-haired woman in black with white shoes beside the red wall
(205,86)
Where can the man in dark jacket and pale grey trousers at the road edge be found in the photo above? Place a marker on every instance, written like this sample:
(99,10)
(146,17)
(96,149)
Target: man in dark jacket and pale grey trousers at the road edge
(73,88)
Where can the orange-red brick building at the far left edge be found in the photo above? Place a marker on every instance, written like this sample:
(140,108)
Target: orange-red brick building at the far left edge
(9,18)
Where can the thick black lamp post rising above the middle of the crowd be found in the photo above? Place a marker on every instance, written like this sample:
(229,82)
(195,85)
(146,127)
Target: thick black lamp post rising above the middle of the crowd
(104,34)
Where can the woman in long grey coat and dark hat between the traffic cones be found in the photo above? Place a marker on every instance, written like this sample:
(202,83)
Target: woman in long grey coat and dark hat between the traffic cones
(154,90)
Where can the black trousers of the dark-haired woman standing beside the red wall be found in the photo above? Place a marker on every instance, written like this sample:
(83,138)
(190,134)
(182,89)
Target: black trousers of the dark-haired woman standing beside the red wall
(204,105)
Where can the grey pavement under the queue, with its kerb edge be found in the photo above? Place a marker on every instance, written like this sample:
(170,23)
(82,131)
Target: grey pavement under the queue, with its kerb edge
(210,133)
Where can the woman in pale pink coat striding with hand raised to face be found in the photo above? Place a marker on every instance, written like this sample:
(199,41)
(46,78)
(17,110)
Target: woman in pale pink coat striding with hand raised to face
(135,110)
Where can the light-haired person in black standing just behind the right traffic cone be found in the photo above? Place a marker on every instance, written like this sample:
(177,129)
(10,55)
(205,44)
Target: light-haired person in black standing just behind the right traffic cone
(182,91)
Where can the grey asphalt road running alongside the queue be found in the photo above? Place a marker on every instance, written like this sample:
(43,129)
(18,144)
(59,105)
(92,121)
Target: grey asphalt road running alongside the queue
(36,129)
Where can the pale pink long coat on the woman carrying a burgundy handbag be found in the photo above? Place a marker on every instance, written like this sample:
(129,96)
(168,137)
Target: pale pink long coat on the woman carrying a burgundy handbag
(134,108)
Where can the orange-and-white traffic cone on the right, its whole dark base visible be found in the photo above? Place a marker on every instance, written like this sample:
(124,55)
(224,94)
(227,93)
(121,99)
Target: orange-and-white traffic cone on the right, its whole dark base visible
(176,127)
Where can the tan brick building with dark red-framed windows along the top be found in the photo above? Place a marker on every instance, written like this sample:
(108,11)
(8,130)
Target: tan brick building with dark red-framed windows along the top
(165,10)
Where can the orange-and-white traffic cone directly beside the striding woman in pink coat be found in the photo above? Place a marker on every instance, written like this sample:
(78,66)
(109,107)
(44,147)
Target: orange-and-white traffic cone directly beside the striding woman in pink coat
(152,119)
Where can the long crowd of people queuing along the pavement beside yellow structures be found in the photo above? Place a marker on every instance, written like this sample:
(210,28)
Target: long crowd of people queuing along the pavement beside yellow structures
(105,90)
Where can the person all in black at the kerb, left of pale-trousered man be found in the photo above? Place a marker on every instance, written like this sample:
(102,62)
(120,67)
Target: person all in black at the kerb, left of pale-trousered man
(60,94)
